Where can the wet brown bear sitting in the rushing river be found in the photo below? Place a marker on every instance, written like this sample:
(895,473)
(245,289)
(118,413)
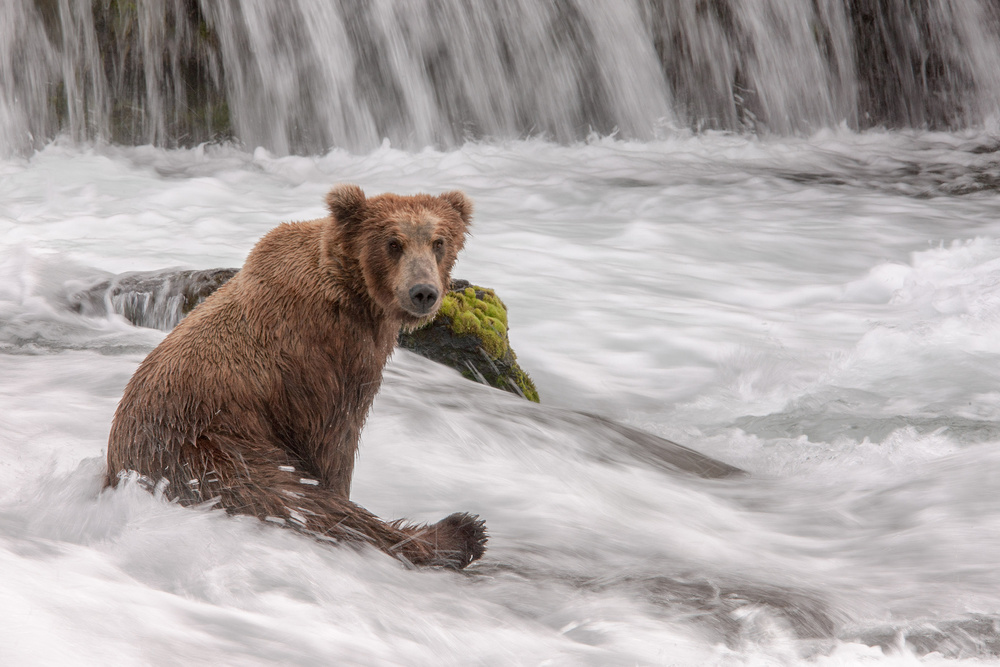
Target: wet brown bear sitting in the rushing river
(256,400)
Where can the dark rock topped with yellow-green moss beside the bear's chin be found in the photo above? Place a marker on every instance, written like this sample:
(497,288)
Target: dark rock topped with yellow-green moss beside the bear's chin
(470,335)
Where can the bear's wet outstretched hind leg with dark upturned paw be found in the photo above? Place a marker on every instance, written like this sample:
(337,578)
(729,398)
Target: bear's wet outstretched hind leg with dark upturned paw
(264,482)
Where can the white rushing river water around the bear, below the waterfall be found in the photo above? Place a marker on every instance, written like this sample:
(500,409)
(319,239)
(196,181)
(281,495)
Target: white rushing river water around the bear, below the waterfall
(823,312)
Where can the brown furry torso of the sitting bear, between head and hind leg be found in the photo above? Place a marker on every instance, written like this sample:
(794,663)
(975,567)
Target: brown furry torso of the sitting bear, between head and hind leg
(273,355)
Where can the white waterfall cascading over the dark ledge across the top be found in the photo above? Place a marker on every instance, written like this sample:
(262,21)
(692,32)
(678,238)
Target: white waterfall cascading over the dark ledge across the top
(302,76)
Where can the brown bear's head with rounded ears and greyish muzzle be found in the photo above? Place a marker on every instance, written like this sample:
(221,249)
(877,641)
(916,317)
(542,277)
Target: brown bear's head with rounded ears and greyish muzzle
(403,247)
